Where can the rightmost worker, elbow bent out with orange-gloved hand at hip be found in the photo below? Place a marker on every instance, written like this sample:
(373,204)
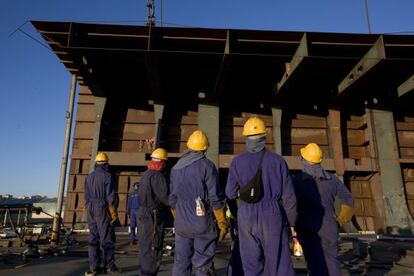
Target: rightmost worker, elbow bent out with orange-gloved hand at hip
(317,223)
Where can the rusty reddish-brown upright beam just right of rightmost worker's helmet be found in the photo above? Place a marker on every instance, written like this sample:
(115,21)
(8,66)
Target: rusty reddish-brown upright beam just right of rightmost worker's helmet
(335,140)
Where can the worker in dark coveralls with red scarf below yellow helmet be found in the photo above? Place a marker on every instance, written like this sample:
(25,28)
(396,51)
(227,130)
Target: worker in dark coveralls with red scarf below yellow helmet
(153,198)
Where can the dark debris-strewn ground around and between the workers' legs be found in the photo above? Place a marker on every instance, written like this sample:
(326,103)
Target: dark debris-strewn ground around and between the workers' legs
(372,258)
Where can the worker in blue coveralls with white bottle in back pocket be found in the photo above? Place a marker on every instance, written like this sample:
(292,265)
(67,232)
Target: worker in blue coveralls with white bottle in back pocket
(195,199)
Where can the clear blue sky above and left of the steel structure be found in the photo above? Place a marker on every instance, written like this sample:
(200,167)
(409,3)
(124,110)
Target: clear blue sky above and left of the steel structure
(34,86)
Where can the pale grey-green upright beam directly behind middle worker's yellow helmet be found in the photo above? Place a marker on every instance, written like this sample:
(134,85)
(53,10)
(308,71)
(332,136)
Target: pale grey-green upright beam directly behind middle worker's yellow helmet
(208,121)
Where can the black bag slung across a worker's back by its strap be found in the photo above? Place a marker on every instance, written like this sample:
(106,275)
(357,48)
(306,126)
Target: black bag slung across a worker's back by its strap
(253,191)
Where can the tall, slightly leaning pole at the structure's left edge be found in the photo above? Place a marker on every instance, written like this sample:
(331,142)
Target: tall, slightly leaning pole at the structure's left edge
(63,167)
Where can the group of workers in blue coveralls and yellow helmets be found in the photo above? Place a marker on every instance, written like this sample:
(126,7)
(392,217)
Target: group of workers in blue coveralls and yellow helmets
(271,207)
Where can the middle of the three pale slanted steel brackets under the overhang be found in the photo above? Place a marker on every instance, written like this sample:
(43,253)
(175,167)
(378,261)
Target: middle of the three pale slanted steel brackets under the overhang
(371,59)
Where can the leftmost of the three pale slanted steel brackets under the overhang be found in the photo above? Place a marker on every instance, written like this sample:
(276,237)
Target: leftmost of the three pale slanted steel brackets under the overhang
(301,53)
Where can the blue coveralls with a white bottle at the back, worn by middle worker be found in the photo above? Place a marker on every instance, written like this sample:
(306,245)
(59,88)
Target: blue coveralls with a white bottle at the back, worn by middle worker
(195,236)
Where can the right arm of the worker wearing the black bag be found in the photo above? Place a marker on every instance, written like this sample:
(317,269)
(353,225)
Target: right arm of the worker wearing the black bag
(288,194)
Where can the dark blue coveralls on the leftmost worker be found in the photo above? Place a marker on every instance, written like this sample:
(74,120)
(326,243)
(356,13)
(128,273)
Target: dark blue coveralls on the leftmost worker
(99,194)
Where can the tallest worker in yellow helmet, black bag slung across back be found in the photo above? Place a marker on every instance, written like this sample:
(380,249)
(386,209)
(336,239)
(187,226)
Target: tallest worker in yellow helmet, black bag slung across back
(263,225)
